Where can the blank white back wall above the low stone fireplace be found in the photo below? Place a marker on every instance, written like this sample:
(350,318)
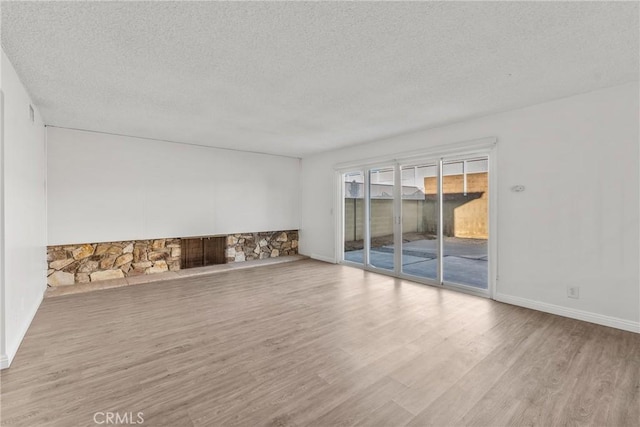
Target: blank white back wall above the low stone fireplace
(107,188)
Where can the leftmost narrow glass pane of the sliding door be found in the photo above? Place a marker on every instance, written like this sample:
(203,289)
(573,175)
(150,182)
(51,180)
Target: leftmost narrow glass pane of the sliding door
(353,216)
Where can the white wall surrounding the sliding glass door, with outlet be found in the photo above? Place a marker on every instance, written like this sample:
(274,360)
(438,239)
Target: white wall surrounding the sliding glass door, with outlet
(575,225)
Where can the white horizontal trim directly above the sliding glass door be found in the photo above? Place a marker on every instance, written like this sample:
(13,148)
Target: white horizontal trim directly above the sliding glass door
(464,147)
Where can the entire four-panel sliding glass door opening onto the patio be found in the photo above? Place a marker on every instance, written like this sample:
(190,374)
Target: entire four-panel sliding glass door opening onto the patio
(427,220)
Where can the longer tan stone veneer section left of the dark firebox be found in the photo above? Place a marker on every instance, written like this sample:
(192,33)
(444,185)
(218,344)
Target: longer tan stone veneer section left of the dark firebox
(92,262)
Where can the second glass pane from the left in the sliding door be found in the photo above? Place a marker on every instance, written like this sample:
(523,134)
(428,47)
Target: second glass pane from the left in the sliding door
(381,218)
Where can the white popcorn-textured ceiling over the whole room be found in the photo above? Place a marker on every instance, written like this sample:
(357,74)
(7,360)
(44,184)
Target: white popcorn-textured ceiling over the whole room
(300,78)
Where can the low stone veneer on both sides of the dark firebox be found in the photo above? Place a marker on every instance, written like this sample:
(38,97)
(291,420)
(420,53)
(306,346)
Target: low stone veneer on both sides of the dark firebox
(92,262)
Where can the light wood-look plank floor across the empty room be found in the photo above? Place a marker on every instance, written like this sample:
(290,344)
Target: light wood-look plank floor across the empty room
(309,343)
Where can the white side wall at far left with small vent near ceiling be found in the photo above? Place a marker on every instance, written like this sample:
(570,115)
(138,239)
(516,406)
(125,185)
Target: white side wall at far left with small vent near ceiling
(24,206)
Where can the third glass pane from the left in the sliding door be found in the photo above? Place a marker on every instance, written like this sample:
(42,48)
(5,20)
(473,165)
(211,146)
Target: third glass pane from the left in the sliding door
(420,220)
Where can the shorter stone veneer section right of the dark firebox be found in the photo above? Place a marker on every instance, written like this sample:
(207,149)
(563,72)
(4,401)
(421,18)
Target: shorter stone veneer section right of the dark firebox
(249,246)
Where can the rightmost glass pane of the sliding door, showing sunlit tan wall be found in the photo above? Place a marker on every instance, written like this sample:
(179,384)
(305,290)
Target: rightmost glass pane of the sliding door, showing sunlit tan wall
(465,221)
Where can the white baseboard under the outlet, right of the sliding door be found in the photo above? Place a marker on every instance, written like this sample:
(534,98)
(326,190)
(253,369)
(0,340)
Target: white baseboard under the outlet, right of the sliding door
(600,319)
